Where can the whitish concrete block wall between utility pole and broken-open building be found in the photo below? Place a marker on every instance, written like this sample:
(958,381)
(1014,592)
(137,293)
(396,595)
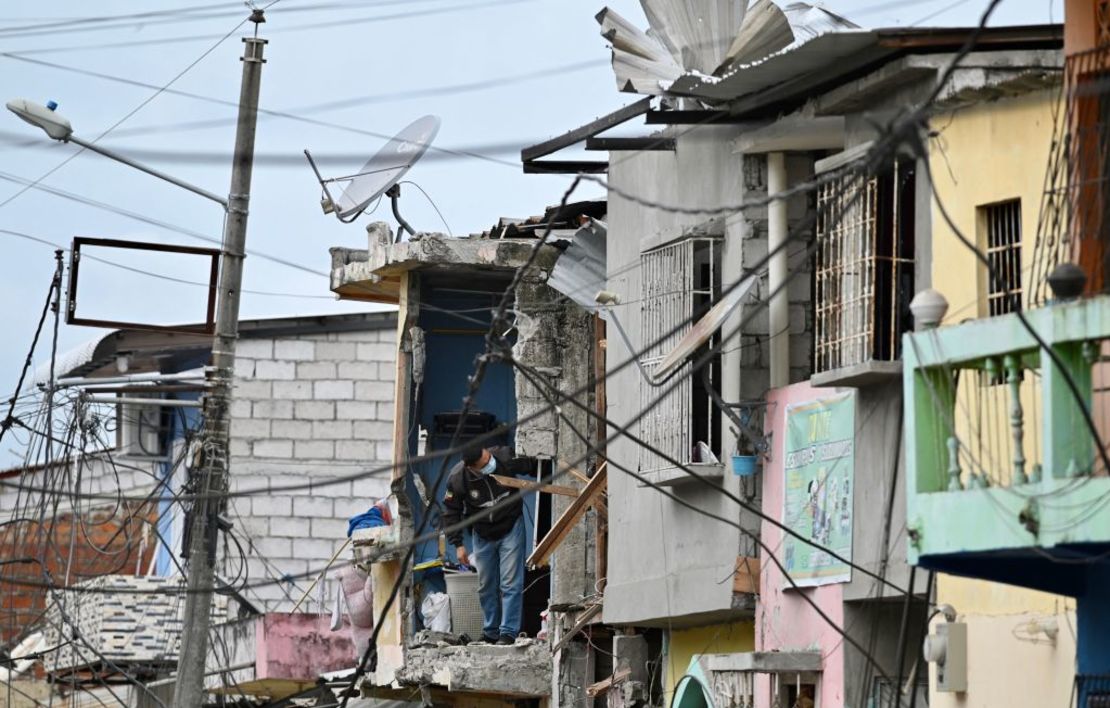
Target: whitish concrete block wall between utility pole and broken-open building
(308,410)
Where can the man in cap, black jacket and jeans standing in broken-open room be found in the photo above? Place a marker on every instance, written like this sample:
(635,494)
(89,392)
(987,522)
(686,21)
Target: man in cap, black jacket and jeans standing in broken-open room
(499,538)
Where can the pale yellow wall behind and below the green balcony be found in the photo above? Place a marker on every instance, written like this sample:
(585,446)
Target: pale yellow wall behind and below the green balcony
(984,155)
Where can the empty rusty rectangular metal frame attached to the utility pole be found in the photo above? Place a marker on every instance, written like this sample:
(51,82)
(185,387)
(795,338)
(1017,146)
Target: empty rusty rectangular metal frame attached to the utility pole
(72,297)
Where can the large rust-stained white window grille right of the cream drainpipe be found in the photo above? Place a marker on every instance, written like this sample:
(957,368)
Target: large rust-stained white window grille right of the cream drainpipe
(865,268)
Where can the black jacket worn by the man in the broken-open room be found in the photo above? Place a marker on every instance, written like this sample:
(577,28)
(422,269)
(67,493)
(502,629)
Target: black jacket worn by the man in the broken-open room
(470,494)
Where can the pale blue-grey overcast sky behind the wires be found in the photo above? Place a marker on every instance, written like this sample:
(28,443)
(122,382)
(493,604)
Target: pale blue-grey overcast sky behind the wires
(500,74)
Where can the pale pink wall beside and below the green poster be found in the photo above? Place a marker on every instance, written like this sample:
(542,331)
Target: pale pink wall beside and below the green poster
(785,622)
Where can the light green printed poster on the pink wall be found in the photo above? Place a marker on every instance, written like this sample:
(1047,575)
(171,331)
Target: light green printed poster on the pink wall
(819,478)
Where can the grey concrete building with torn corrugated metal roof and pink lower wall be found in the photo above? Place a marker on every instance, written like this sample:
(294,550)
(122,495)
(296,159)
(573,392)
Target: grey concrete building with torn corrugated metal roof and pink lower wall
(819,603)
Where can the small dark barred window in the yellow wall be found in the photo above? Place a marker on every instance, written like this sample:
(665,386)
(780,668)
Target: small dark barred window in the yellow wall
(1002,228)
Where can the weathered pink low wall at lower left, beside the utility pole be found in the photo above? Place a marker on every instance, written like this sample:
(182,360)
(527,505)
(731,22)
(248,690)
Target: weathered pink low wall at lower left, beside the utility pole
(301,648)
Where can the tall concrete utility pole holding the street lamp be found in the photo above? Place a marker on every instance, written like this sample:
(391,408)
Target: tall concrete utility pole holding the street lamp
(213,476)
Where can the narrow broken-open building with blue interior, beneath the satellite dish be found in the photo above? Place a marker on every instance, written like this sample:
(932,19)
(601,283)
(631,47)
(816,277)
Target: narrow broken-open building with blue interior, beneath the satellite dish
(448,292)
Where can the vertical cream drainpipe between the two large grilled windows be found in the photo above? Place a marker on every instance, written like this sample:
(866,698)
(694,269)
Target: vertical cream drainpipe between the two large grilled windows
(780,310)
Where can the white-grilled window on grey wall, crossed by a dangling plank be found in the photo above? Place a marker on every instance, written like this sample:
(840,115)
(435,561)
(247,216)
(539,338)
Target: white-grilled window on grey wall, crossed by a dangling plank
(680,282)
